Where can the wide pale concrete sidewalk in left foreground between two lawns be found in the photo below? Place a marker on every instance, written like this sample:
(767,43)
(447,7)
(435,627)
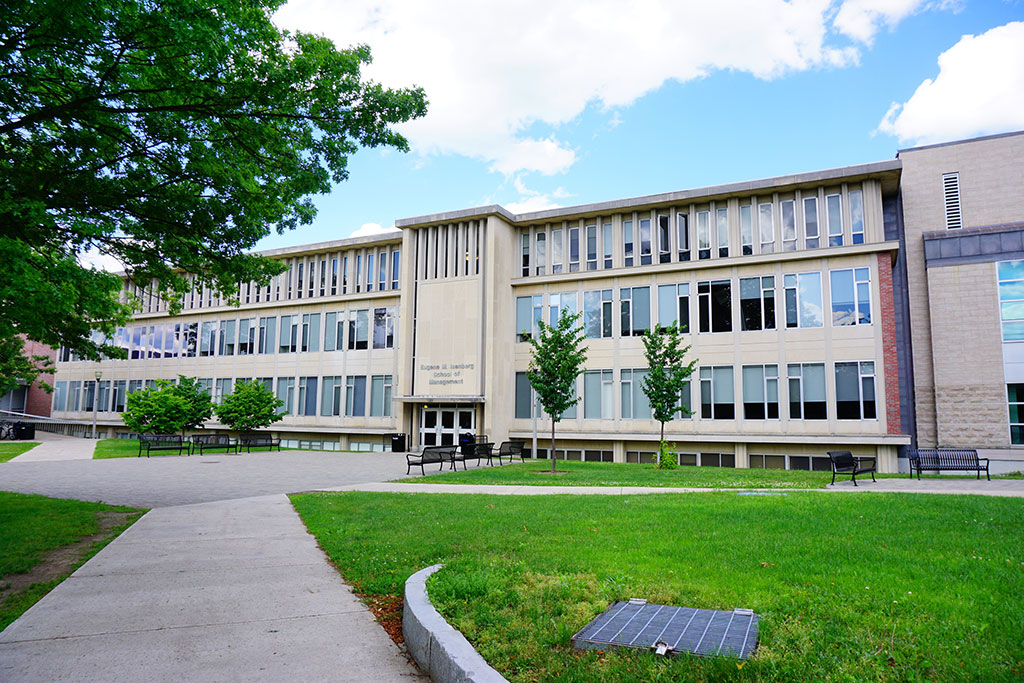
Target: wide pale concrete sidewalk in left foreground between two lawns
(226,591)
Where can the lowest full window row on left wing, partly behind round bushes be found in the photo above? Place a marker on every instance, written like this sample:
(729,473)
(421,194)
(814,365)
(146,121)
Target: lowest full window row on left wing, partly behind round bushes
(338,396)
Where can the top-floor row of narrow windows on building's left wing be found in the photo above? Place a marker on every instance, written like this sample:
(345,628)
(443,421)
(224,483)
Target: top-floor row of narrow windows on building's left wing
(349,272)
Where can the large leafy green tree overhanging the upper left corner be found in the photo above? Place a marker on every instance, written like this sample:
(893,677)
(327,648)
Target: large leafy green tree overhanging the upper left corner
(169,136)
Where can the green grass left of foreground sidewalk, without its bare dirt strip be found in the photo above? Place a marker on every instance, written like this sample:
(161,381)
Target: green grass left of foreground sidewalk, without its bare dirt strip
(33,526)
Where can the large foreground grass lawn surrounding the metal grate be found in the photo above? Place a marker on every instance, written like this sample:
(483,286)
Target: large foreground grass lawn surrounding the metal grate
(849,588)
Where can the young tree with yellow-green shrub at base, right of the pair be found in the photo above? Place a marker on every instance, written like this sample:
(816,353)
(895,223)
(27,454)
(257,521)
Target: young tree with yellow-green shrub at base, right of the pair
(668,373)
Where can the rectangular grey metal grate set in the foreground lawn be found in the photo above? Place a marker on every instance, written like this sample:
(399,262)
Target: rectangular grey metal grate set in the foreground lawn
(671,630)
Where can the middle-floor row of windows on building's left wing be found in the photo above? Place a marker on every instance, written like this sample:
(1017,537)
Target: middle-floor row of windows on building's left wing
(250,336)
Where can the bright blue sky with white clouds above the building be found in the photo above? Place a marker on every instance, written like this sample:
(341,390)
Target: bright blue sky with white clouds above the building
(536,105)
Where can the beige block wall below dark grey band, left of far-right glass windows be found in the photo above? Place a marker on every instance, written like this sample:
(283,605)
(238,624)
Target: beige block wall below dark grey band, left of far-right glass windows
(970,390)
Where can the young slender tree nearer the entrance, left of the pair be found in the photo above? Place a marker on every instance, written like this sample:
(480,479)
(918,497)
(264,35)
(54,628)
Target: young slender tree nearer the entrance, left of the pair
(558,361)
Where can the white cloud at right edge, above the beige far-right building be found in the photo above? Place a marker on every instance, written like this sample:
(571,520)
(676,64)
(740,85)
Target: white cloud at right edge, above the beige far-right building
(979,91)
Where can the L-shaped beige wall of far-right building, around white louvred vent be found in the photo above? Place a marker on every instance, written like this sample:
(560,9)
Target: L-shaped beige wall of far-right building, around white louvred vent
(992,175)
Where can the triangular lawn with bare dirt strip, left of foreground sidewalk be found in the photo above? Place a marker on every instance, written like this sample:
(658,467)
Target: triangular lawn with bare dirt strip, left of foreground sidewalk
(44,540)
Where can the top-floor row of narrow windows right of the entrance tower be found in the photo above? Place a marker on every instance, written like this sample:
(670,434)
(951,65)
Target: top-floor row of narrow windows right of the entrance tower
(764,229)
